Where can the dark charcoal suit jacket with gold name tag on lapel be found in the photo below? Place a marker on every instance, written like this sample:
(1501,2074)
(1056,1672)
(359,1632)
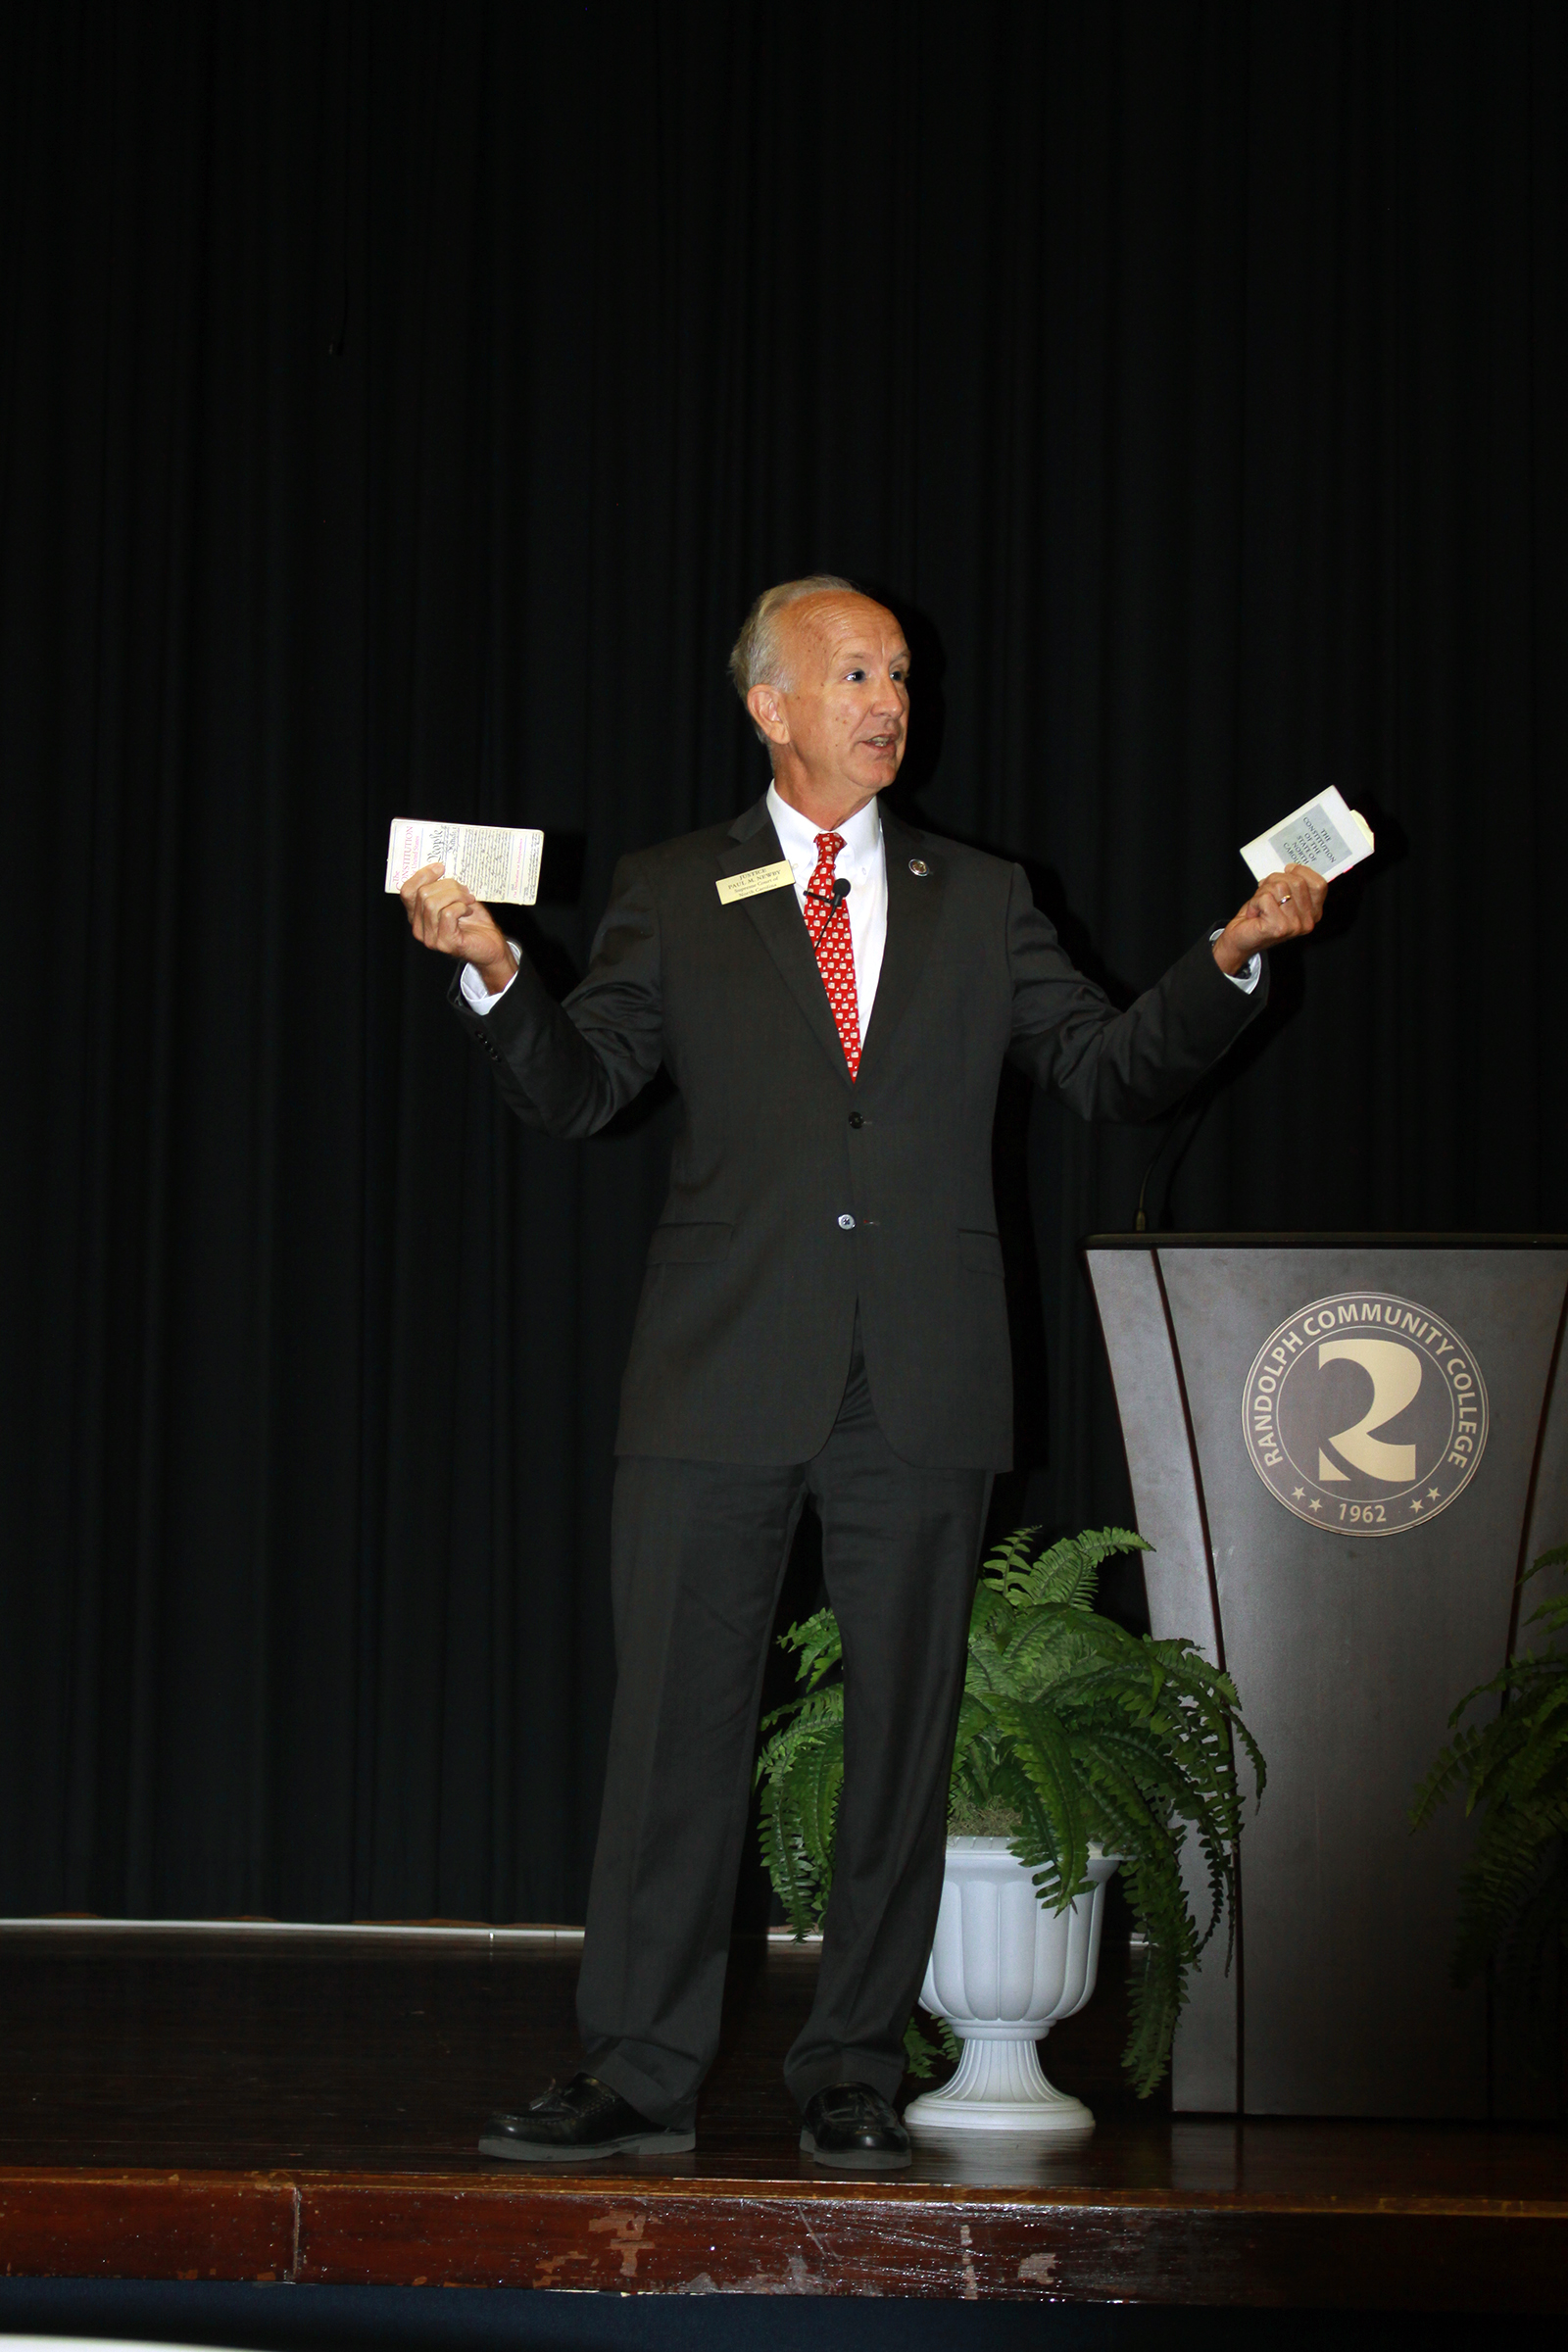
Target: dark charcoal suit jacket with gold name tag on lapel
(798,1194)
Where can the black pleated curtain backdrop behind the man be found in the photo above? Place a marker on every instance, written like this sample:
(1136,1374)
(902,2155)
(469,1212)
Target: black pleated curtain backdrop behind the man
(401,406)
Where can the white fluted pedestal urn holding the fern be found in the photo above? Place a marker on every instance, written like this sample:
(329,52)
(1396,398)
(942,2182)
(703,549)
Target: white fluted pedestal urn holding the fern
(1003,1972)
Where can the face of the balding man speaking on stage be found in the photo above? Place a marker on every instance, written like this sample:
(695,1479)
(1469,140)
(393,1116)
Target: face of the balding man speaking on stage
(847,702)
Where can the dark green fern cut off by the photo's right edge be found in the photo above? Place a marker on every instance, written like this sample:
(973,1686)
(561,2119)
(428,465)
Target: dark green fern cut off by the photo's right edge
(1515,1777)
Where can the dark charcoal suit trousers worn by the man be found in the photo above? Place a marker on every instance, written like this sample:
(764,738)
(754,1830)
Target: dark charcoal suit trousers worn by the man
(697,1563)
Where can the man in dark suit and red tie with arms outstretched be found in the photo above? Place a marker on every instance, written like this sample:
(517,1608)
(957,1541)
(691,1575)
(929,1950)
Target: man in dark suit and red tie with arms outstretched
(822,1318)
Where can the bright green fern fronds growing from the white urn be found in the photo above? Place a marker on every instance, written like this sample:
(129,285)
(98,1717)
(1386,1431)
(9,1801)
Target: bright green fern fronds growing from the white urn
(1073,1735)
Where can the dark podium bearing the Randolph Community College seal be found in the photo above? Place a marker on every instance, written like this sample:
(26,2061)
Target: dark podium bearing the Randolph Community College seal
(1343,1448)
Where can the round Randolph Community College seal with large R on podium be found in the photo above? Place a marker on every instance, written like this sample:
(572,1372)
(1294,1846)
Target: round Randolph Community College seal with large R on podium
(1365,1415)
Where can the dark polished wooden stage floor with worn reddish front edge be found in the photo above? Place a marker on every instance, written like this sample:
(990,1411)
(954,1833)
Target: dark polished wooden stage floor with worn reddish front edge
(194,2106)
